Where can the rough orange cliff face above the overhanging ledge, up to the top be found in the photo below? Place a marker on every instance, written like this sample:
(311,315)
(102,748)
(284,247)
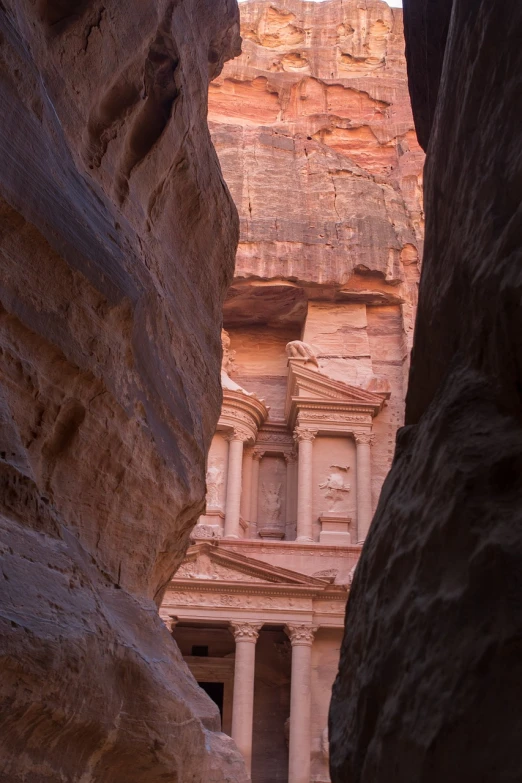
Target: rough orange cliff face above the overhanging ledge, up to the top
(315,135)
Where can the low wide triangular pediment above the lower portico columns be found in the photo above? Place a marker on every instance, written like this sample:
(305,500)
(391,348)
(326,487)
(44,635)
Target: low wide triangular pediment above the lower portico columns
(206,561)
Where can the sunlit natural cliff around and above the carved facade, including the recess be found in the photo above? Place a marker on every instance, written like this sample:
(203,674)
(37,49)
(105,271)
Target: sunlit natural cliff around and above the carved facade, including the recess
(315,136)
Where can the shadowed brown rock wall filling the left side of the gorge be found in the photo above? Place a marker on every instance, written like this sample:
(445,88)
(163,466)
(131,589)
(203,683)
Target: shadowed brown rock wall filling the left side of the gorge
(117,243)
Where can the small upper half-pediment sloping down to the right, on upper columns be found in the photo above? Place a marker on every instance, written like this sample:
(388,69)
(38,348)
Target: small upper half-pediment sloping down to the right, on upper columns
(310,385)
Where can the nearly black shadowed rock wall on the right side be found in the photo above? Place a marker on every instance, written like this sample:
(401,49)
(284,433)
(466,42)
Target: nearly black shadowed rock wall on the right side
(429,683)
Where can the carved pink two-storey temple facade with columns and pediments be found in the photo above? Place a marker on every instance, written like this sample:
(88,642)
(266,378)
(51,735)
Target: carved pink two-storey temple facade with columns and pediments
(289,502)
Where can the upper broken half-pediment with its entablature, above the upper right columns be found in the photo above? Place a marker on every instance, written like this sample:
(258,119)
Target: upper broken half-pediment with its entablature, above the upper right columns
(311,390)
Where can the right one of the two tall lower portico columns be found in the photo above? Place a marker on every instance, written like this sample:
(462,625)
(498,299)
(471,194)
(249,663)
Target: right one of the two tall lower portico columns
(301,637)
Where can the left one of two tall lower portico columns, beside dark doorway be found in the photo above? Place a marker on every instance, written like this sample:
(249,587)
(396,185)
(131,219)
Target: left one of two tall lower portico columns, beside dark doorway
(246,635)
